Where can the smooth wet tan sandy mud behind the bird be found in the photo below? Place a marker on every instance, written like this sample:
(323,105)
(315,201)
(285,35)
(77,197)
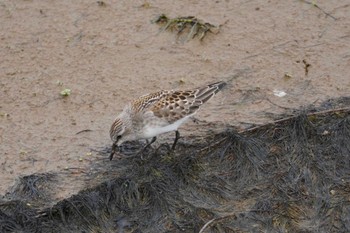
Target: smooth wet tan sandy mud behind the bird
(110,53)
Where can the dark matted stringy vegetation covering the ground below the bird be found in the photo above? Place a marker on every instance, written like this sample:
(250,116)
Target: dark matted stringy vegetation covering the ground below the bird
(292,175)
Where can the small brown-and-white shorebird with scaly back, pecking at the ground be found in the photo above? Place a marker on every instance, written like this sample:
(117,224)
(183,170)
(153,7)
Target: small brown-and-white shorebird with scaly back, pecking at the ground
(159,112)
